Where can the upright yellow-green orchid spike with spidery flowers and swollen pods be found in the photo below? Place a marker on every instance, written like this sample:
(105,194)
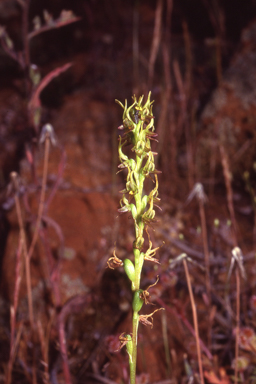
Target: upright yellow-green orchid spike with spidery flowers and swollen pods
(138,126)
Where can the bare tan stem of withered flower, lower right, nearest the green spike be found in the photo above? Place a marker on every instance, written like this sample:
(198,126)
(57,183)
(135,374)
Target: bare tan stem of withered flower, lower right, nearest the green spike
(195,321)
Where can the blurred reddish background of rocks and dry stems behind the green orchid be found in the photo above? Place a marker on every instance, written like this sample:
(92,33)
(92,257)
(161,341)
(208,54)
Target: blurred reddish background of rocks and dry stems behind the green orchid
(198,58)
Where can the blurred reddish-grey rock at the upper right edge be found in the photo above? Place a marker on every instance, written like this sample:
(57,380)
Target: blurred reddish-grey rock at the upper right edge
(230,116)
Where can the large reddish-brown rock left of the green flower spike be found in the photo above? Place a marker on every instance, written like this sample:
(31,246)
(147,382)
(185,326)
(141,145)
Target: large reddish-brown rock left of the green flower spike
(83,208)
